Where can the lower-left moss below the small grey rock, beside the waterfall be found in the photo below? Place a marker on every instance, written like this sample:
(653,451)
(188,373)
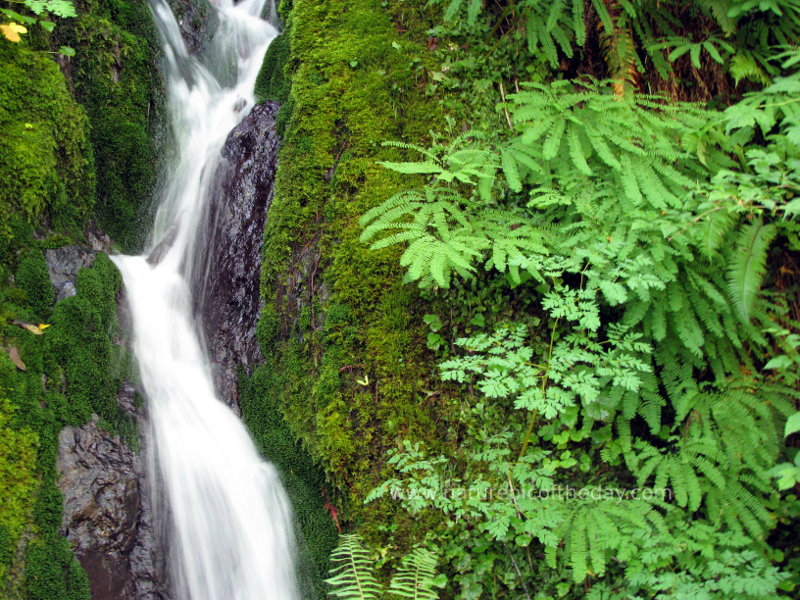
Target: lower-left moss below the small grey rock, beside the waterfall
(73,370)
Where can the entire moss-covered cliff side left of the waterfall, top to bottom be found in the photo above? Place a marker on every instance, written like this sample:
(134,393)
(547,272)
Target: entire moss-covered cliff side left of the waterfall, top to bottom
(76,147)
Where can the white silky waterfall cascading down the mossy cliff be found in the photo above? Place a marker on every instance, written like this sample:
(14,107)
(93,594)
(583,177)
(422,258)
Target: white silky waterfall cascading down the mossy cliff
(230,523)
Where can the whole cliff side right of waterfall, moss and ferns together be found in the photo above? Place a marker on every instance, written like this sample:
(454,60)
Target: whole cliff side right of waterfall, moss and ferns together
(609,227)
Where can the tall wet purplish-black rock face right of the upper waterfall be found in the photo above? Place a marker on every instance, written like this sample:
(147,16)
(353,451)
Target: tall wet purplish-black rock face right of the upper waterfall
(227,280)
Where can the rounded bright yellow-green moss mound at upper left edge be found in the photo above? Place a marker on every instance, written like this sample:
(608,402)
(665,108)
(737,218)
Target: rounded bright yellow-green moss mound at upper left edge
(46,162)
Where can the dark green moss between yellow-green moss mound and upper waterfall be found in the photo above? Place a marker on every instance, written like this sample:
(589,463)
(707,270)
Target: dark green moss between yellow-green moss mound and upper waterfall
(116,80)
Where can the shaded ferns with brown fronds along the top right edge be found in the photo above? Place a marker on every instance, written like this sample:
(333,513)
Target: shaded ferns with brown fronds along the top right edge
(634,36)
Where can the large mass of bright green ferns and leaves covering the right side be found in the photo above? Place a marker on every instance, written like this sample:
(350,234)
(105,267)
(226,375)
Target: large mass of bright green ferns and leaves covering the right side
(643,233)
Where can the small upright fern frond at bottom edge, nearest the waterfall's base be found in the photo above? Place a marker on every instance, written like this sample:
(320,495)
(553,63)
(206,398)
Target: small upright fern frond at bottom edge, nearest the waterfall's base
(351,575)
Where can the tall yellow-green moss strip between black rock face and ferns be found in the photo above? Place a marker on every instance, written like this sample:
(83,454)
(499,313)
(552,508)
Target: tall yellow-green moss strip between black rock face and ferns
(348,363)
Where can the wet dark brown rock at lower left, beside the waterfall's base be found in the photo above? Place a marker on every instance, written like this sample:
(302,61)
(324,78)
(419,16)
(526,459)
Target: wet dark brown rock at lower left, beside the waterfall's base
(107,516)
